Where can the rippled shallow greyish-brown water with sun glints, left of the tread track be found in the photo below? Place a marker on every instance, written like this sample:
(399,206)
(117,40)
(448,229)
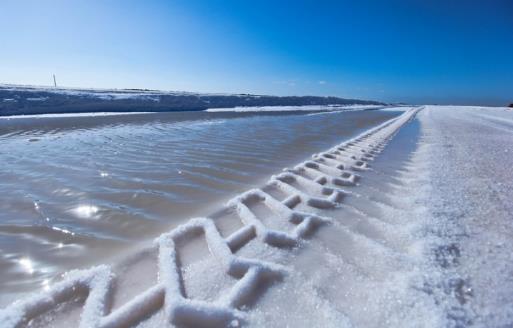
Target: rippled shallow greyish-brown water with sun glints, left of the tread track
(78,190)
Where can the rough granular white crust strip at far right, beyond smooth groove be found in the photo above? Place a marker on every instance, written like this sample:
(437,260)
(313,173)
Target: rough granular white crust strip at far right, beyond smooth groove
(467,151)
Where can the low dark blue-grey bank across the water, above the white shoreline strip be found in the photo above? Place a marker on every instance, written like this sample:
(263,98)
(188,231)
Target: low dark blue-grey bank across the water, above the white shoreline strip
(22,100)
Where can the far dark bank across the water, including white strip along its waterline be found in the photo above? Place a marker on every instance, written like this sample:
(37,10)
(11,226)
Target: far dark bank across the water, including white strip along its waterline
(57,99)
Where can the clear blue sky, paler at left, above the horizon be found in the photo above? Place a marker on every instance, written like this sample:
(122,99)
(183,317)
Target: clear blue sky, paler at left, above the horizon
(418,51)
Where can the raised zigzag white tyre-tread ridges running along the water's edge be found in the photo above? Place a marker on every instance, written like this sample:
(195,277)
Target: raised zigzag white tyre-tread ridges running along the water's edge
(332,169)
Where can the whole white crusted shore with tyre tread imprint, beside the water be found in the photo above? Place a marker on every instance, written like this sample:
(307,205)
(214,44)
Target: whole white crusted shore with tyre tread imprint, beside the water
(406,224)
